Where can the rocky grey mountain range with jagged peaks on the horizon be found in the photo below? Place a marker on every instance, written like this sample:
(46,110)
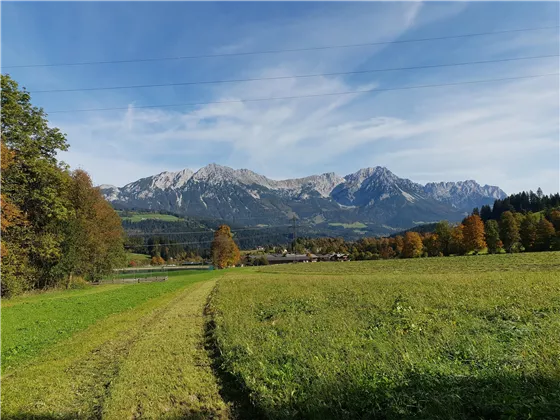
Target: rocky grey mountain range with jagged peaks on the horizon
(373,197)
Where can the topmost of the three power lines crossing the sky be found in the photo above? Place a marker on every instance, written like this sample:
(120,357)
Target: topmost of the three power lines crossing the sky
(248,53)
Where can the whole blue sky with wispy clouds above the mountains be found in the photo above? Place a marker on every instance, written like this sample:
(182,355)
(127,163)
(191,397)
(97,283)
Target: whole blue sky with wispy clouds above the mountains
(500,133)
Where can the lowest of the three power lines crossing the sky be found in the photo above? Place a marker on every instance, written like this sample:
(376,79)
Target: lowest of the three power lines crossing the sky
(317,95)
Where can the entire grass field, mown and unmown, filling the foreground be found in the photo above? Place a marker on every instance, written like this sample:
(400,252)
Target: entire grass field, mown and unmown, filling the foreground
(441,338)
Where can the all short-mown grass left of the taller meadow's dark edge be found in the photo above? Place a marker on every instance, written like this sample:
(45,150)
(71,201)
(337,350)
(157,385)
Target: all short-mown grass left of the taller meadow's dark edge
(141,356)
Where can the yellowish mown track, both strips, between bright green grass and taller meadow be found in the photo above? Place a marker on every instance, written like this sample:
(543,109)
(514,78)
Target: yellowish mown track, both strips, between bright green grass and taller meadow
(146,362)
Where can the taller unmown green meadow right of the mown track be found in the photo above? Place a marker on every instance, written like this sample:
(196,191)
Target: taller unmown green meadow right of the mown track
(448,338)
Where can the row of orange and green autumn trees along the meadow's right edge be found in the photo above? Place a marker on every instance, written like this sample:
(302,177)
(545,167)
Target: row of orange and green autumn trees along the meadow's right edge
(509,226)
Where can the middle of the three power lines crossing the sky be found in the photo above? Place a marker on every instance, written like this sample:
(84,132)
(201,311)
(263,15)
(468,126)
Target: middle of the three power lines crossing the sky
(340,73)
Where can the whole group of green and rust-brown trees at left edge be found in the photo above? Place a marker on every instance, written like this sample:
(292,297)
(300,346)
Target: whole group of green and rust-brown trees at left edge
(55,226)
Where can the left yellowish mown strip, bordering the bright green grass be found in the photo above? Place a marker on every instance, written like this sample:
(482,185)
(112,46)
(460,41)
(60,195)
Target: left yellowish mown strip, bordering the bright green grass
(73,378)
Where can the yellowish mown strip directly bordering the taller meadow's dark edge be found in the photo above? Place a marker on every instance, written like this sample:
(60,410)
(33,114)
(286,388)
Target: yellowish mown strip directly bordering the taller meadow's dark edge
(168,373)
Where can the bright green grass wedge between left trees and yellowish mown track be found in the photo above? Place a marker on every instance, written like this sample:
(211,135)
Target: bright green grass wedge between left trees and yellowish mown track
(31,325)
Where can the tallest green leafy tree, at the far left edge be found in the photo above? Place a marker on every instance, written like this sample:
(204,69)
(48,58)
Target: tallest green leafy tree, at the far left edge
(35,182)
